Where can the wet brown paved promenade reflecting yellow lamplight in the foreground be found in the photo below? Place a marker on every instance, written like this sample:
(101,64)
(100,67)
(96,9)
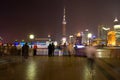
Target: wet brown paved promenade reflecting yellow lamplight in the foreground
(60,68)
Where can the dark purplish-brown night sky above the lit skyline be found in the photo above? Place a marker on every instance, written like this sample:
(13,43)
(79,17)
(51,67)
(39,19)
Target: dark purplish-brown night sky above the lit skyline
(18,18)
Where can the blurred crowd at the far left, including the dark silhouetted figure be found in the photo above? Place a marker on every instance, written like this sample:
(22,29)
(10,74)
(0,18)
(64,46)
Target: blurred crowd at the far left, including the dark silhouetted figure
(11,49)
